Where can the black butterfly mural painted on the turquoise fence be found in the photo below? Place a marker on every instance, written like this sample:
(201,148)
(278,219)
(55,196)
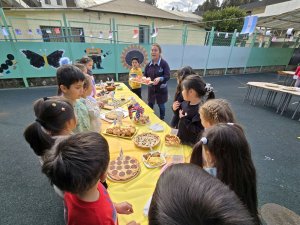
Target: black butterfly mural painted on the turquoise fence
(39,61)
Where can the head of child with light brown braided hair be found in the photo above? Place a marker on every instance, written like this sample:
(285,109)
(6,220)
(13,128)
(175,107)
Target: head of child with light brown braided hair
(216,111)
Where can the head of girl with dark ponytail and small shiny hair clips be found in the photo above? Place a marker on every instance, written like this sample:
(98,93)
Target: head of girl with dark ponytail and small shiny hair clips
(55,118)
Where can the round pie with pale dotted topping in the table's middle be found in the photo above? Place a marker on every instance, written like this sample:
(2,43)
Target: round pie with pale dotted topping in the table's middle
(146,140)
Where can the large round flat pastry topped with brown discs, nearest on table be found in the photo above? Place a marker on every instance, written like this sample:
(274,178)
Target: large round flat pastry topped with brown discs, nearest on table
(123,169)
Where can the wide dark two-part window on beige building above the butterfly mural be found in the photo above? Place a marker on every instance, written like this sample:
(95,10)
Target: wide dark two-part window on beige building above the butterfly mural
(58,34)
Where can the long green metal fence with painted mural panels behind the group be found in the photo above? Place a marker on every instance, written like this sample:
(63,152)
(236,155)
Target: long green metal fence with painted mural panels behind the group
(112,42)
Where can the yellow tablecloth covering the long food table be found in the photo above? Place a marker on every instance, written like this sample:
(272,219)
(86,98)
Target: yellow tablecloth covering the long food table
(139,190)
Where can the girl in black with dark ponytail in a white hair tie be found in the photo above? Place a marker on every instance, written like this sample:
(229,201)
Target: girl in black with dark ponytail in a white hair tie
(195,92)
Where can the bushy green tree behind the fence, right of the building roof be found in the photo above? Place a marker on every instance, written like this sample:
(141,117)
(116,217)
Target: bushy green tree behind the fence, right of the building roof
(224,20)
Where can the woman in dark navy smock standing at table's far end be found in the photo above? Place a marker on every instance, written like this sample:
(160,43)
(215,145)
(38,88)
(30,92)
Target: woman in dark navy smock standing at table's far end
(159,72)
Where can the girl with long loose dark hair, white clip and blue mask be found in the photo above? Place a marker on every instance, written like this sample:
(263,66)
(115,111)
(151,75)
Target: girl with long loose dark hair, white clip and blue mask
(224,152)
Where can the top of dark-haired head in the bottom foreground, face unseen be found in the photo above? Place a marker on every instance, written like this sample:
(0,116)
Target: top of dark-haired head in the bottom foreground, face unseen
(187,195)
